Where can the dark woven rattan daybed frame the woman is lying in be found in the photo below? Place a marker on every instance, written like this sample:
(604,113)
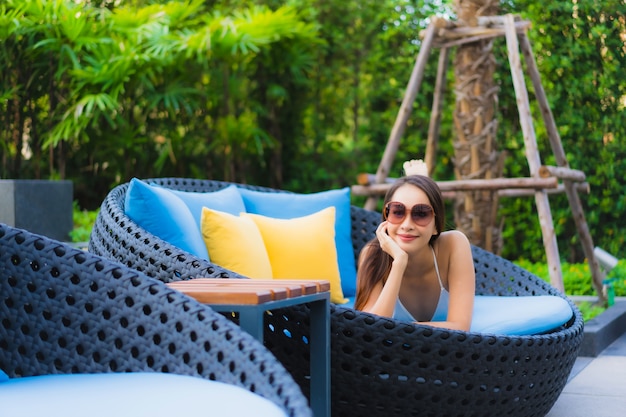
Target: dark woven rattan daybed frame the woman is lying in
(380,366)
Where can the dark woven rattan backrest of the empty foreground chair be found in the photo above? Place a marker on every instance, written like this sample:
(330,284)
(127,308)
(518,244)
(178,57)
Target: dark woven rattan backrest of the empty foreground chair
(63,310)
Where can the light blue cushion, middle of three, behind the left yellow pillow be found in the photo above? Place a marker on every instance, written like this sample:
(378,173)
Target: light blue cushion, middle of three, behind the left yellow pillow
(226,200)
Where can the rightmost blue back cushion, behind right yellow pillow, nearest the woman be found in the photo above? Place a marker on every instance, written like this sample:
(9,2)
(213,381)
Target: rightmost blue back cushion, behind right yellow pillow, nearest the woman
(288,205)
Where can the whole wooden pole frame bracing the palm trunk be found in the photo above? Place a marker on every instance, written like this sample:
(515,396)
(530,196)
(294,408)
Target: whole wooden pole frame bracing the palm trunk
(544,180)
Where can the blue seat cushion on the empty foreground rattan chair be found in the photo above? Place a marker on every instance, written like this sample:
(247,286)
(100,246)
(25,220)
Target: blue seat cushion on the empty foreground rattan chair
(129,394)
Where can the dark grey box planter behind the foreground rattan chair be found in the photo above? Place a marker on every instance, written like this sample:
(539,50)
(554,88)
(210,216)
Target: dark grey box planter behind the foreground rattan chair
(40,206)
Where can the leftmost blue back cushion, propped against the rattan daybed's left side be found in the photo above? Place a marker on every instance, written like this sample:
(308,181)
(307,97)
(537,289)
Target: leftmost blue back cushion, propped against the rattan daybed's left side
(165,215)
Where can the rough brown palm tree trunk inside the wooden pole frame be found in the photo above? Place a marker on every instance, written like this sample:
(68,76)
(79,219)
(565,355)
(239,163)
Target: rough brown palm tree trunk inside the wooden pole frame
(476,154)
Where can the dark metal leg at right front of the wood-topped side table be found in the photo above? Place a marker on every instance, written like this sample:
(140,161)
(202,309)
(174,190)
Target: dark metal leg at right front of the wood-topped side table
(320,358)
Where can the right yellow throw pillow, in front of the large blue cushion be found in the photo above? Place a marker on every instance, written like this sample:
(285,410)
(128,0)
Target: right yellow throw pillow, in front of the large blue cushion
(302,248)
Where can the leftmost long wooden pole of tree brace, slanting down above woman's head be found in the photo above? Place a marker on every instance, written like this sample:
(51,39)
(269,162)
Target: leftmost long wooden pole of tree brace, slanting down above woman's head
(405,110)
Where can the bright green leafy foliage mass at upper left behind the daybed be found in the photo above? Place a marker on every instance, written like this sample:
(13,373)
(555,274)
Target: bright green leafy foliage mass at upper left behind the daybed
(138,74)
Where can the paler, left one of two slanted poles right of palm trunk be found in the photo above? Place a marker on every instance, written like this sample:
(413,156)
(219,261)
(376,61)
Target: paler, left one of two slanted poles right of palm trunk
(532,155)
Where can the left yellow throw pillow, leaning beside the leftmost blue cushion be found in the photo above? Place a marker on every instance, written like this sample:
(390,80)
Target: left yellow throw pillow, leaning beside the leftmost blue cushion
(235,243)
